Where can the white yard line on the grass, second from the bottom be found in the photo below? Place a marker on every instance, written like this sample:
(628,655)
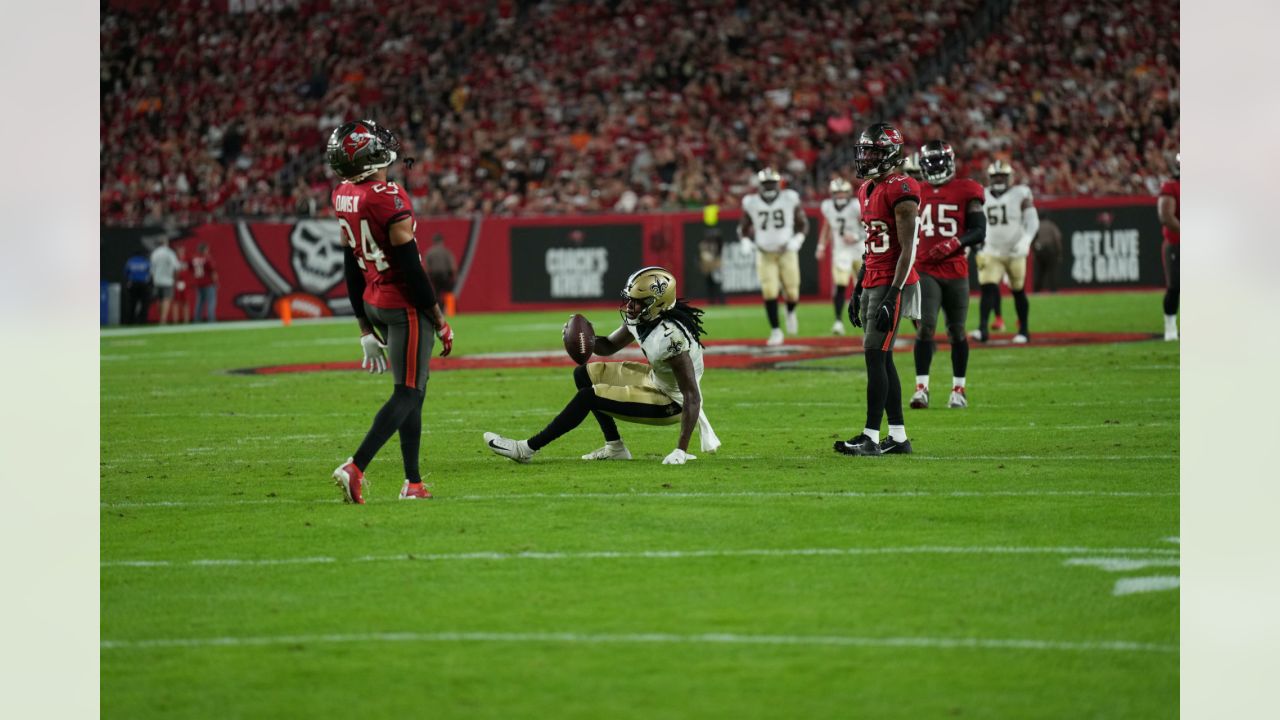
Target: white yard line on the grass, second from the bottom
(644,555)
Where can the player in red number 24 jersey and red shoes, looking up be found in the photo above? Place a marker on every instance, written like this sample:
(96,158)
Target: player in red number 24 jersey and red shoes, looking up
(391,295)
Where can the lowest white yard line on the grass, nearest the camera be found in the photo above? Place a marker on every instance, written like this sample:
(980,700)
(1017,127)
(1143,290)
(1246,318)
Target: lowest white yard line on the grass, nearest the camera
(651,639)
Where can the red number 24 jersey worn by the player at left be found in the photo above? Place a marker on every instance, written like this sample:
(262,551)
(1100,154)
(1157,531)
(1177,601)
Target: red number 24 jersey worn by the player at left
(365,212)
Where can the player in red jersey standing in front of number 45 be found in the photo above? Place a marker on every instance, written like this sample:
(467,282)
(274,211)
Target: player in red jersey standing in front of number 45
(889,286)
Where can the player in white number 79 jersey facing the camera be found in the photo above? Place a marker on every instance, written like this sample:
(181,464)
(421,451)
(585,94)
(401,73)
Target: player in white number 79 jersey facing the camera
(775,221)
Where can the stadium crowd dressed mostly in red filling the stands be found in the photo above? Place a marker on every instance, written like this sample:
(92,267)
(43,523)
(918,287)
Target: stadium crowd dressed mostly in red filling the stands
(543,108)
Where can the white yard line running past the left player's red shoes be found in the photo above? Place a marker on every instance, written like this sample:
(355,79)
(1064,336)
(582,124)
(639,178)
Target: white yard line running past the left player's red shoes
(799,494)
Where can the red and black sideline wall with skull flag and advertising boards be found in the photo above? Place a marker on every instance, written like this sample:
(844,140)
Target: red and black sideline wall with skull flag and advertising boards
(574,262)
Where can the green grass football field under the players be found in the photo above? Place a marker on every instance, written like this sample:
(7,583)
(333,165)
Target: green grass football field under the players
(1062,449)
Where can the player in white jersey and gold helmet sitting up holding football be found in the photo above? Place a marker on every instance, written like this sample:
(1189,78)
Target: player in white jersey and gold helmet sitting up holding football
(662,393)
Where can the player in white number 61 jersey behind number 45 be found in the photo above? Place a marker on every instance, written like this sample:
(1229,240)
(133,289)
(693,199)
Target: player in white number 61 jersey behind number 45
(1012,225)
